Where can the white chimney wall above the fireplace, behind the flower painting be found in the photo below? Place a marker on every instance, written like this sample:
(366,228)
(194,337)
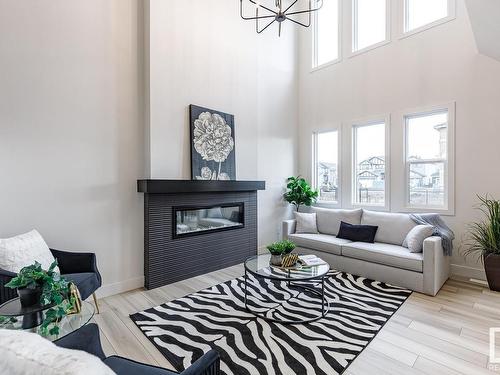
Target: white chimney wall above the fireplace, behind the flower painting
(203,53)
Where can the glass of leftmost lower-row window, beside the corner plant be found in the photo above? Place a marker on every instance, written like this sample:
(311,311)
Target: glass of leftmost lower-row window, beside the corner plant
(327,166)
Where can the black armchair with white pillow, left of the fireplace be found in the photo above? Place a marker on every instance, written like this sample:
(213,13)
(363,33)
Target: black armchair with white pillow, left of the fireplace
(80,268)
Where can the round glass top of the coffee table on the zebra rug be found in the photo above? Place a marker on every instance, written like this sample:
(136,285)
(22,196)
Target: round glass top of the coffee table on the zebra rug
(259,266)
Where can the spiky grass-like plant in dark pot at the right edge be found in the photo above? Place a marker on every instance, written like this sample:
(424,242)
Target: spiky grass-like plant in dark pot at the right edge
(484,240)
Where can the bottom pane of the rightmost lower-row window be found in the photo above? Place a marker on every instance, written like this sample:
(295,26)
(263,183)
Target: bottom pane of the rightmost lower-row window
(426,182)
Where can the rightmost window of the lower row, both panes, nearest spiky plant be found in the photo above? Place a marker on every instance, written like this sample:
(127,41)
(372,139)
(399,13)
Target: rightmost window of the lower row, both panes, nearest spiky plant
(427,160)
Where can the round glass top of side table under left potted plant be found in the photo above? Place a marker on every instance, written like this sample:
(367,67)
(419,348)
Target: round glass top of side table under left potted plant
(67,325)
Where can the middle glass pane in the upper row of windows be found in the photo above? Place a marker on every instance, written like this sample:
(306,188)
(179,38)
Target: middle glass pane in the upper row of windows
(369,23)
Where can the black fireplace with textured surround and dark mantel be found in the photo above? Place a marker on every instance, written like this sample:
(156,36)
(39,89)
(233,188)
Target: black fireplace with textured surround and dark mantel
(194,227)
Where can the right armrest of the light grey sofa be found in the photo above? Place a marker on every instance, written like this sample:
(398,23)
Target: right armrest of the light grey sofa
(436,265)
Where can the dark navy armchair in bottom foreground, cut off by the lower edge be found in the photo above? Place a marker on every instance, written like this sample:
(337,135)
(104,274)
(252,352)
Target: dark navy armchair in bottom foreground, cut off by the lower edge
(87,339)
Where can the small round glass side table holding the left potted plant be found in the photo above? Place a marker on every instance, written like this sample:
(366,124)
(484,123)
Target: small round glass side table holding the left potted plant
(15,316)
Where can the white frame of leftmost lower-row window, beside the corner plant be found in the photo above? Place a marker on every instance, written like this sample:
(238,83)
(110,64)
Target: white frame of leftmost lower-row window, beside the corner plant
(314,173)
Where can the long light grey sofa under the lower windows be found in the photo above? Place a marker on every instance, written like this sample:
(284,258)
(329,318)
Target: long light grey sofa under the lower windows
(385,260)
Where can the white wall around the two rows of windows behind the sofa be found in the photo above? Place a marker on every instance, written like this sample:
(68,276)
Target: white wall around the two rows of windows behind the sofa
(436,66)
